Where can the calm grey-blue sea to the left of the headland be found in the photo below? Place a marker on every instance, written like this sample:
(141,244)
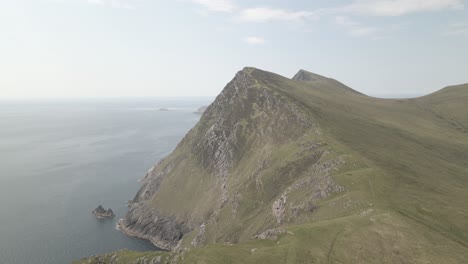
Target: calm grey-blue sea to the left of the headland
(59,160)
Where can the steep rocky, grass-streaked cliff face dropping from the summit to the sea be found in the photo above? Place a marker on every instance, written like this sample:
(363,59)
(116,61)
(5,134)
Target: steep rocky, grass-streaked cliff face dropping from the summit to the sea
(255,161)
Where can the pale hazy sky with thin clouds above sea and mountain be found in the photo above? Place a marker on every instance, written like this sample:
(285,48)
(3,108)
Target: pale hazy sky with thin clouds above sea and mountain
(159,48)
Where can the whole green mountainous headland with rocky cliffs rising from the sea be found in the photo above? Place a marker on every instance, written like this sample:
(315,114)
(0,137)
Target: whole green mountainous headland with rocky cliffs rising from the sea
(307,170)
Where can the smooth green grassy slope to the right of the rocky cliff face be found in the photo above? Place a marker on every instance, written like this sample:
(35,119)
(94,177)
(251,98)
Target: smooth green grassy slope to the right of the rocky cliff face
(405,180)
